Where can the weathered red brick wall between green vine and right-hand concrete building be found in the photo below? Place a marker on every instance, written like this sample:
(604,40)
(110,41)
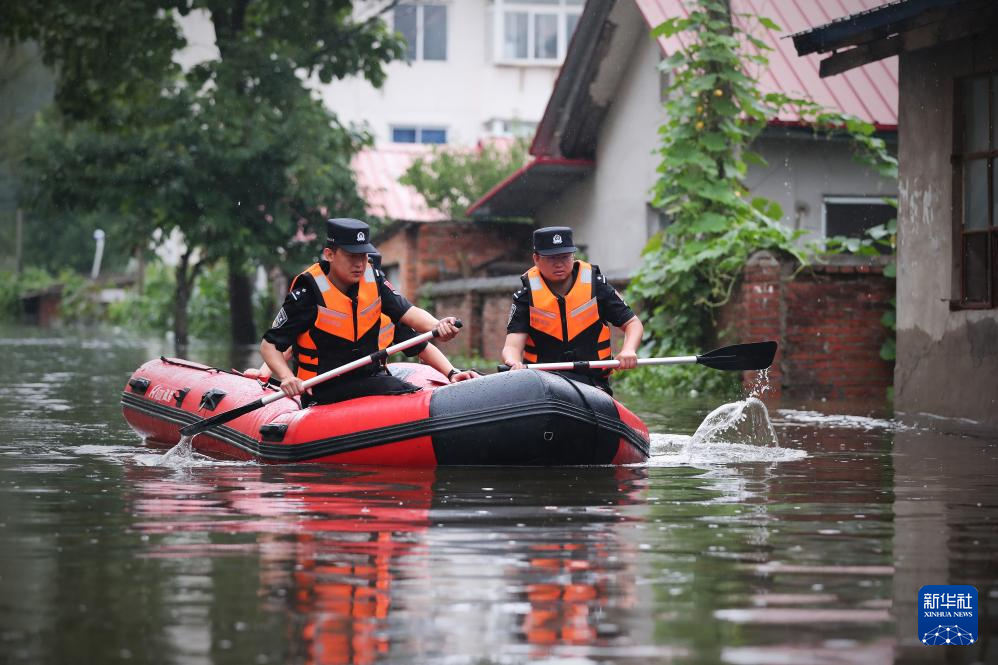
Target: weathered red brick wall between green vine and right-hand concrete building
(827,321)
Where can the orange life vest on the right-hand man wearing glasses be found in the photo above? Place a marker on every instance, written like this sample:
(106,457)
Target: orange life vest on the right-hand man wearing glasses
(566,328)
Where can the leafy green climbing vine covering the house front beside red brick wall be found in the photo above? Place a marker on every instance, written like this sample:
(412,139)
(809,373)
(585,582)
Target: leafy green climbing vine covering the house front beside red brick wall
(715,110)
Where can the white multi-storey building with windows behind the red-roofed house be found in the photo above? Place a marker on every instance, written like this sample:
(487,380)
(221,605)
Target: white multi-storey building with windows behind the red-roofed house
(475,68)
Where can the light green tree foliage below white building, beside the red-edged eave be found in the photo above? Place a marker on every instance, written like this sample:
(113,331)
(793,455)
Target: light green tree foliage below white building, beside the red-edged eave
(451,179)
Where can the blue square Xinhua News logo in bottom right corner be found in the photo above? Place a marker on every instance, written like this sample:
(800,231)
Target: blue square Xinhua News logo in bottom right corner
(947,614)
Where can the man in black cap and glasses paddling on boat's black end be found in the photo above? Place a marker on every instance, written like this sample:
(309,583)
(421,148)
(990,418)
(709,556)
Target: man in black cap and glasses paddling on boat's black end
(562,311)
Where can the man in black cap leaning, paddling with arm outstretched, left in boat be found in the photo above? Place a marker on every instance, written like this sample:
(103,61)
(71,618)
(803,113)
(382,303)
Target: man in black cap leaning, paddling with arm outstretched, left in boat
(332,315)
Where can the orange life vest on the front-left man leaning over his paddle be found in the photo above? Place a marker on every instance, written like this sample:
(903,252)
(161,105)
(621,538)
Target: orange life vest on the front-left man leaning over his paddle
(340,333)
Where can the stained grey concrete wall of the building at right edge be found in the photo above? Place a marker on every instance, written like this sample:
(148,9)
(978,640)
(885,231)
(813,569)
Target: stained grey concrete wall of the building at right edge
(947,361)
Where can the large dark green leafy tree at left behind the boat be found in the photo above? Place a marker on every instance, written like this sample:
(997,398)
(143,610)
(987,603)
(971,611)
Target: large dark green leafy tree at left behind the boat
(236,153)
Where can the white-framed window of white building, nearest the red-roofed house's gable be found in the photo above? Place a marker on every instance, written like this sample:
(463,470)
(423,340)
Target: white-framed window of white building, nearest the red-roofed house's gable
(535,30)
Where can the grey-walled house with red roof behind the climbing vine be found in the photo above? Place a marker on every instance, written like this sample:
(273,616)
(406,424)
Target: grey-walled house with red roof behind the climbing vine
(595,147)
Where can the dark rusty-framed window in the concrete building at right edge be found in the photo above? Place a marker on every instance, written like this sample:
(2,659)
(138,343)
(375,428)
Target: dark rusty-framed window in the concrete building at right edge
(975,218)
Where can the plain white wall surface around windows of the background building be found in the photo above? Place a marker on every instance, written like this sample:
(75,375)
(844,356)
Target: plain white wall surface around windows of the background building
(461,93)
